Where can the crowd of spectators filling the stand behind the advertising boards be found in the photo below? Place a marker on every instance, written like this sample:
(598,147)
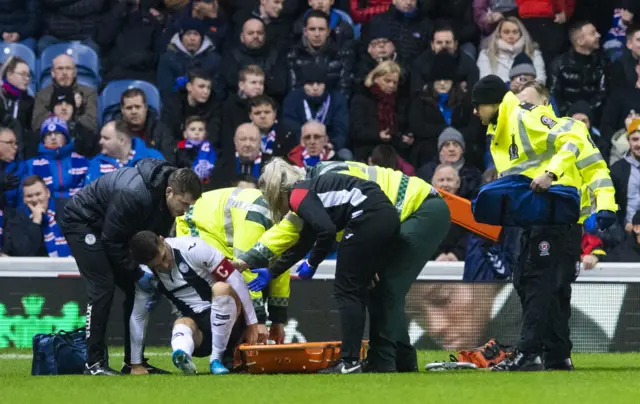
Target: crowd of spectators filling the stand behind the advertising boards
(234,83)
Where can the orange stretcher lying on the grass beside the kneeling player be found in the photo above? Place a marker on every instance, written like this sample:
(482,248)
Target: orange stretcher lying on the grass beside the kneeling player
(307,357)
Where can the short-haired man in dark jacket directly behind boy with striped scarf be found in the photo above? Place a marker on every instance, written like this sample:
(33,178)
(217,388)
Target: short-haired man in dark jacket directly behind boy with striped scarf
(195,100)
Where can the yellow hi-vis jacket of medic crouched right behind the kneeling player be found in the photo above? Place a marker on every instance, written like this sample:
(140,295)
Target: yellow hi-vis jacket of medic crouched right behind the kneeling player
(232,220)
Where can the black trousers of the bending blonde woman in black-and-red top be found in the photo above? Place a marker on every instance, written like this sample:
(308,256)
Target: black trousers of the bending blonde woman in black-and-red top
(365,247)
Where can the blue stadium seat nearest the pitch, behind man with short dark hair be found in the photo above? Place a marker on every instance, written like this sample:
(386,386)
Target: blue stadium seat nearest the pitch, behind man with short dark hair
(109,102)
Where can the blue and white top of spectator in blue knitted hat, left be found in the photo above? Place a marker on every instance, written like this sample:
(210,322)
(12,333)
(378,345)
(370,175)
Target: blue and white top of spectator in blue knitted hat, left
(42,166)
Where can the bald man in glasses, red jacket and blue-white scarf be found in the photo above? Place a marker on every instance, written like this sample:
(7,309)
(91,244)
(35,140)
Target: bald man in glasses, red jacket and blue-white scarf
(314,146)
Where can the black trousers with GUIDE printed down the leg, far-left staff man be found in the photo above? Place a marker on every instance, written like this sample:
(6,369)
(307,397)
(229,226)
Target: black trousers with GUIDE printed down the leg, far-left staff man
(101,279)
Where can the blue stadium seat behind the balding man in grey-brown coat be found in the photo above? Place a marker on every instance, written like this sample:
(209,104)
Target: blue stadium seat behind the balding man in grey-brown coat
(85,58)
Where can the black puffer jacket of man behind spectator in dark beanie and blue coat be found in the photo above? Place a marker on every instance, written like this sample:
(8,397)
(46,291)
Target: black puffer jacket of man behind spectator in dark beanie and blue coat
(337,62)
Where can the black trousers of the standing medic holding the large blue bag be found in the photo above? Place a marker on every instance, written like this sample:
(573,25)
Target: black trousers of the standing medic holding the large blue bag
(549,263)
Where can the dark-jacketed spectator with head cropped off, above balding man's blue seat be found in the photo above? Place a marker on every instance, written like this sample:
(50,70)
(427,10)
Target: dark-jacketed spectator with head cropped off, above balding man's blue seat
(70,20)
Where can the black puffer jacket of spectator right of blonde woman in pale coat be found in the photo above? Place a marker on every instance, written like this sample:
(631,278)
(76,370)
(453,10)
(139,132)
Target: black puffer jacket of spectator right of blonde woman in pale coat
(577,77)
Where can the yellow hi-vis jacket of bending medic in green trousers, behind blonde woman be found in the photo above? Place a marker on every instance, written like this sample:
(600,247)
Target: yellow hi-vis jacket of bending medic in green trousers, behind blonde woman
(406,193)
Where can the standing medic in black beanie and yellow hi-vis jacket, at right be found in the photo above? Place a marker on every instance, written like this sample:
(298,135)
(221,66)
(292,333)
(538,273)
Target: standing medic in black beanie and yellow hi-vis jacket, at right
(528,139)
